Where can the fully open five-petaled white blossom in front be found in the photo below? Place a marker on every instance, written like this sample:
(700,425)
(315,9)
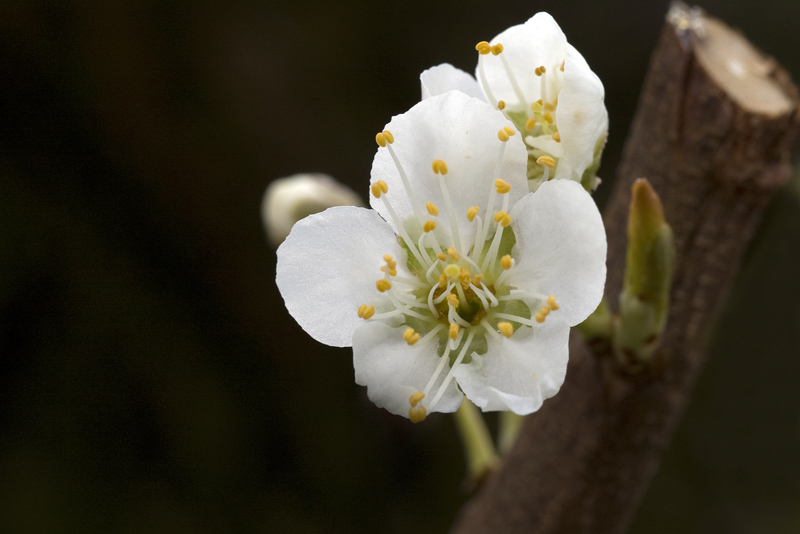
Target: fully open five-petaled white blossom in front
(459,281)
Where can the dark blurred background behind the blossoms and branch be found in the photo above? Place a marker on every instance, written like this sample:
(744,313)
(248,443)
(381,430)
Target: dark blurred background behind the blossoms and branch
(150,377)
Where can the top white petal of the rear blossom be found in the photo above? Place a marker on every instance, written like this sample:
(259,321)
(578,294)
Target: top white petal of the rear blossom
(538,42)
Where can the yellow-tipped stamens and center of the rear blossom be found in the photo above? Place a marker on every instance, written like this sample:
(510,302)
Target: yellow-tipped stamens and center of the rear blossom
(534,118)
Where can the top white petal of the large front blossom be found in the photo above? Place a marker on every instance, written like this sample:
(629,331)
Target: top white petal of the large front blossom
(462,131)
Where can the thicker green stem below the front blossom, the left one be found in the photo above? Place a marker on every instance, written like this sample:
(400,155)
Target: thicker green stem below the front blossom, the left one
(479,451)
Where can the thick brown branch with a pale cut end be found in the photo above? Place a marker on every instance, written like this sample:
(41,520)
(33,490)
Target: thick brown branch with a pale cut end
(712,134)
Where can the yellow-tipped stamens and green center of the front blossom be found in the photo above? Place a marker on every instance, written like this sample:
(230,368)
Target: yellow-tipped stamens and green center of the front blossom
(458,292)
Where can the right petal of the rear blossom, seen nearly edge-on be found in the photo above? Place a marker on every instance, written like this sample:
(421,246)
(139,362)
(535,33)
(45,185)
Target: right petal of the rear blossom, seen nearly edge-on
(581,115)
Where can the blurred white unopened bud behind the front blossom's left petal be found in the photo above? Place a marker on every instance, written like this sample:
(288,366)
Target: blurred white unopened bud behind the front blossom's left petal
(287,200)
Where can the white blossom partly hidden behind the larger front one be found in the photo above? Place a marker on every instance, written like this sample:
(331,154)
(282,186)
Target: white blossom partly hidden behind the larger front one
(545,87)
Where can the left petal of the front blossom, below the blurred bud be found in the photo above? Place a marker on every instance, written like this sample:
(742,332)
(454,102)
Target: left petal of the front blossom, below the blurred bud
(328,267)
